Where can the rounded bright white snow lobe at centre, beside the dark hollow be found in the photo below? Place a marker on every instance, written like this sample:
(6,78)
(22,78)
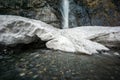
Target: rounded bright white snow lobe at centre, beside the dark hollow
(61,43)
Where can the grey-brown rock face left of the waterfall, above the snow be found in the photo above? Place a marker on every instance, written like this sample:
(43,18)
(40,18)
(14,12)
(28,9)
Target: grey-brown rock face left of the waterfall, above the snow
(34,9)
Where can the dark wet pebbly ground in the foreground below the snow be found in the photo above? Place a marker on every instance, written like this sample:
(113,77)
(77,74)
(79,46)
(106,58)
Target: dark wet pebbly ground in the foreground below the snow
(56,65)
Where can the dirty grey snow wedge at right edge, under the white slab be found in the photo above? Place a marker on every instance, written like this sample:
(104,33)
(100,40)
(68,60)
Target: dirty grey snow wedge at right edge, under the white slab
(110,40)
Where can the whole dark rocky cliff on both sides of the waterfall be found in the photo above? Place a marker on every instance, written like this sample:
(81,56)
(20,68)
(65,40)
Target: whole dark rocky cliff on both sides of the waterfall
(82,12)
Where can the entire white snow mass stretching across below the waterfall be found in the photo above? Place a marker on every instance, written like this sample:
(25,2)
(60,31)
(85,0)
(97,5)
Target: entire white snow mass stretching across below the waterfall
(15,30)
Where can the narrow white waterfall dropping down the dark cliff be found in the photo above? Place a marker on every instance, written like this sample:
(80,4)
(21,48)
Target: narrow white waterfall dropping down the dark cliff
(65,14)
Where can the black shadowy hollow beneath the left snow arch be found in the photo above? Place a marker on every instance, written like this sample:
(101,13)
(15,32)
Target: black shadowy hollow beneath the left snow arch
(21,47)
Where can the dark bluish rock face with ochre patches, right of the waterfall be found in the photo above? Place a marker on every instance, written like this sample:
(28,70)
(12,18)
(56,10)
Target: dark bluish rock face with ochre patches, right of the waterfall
(94,12)
